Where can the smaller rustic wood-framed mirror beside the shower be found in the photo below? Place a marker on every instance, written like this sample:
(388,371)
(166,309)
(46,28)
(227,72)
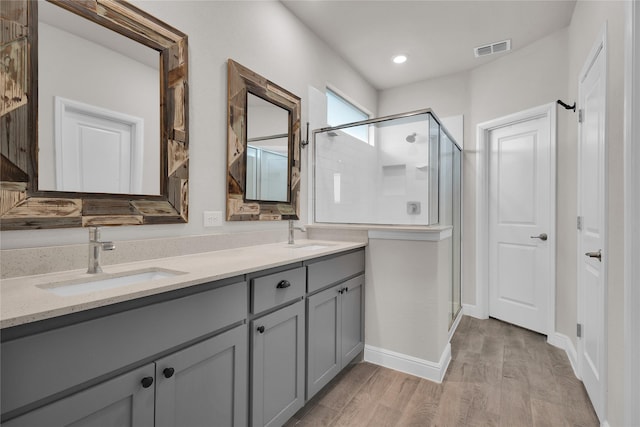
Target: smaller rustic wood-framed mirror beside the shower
(263,148)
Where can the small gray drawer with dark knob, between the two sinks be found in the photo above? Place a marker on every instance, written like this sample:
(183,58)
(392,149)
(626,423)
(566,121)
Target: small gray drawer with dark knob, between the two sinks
(278,288)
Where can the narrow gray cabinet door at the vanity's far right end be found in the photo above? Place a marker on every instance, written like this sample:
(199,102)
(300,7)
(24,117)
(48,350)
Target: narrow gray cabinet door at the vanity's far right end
(352,323)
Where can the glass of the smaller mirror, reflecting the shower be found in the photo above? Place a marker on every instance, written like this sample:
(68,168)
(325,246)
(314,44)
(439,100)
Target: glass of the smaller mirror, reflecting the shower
(267,151)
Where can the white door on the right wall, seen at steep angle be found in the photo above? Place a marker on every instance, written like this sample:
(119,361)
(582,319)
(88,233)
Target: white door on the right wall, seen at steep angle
(592,292)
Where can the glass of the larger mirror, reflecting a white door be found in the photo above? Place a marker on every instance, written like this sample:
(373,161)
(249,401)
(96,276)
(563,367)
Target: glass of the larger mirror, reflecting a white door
(107,72)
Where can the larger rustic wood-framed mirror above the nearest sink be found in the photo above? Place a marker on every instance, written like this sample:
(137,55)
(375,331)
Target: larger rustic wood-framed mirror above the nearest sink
(50,176)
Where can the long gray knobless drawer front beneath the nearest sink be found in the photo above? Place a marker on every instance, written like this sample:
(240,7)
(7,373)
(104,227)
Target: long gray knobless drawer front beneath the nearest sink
(40,365)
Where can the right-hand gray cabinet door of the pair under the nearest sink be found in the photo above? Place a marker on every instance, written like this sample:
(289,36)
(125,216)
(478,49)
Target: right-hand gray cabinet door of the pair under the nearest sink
(205,384)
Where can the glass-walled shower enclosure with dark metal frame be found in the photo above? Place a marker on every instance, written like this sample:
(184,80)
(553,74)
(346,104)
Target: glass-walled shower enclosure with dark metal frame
(400,170)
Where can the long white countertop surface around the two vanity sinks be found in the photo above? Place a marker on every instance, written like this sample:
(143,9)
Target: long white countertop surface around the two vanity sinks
(23,300)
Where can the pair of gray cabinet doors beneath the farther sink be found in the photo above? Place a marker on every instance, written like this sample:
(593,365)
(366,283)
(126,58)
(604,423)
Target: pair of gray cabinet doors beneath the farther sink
(335,331)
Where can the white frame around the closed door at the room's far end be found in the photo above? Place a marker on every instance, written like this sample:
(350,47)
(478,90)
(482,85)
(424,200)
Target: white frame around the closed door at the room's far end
(482,208)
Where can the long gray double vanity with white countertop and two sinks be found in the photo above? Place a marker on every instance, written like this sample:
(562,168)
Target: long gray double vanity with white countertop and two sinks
(228,338)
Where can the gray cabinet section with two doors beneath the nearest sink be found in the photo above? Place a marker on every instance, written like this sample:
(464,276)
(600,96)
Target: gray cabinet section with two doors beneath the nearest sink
(92,371)
